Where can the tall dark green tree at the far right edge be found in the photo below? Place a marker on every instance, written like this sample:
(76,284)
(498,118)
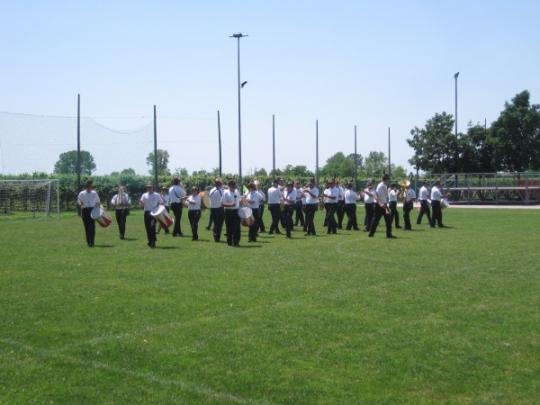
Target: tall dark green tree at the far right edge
(515,136)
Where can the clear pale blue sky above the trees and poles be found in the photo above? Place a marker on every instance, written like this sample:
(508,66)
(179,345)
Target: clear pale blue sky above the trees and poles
(373,64)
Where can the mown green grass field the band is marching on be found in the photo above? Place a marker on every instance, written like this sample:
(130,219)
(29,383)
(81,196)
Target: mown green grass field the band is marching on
(449,315)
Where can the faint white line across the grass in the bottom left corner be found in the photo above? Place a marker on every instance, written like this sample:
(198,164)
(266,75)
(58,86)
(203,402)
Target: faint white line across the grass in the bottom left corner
(148,376)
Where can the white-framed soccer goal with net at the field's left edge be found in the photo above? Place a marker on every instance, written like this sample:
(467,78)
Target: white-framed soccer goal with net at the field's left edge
(34,198)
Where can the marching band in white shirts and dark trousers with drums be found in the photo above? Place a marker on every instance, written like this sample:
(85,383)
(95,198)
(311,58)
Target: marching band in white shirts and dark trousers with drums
(228,205)
